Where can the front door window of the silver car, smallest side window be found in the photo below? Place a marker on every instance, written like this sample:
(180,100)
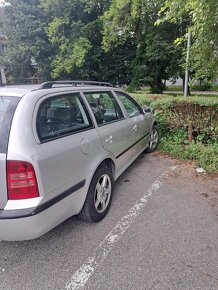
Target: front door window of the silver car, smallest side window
(129,104)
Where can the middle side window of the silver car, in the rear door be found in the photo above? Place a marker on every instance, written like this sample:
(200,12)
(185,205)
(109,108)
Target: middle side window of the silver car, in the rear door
(104,107)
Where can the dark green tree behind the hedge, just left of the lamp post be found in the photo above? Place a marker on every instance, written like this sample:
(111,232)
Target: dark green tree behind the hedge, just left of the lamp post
(157,59)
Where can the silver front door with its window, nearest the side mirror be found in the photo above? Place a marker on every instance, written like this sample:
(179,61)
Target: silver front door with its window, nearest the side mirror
(140,122)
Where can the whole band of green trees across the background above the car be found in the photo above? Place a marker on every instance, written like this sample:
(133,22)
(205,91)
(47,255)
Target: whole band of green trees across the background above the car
(65,38)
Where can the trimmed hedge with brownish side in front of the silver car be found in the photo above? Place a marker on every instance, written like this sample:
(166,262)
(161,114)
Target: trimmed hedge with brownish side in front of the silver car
(198,116)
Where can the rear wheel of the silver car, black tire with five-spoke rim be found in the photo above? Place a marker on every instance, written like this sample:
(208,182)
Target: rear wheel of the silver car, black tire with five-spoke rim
(99,196)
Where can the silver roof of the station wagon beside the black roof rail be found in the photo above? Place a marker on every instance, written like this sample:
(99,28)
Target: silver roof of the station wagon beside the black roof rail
(21,90)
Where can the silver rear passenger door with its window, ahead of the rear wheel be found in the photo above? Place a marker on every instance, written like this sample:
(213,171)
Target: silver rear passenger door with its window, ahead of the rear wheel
(112,125)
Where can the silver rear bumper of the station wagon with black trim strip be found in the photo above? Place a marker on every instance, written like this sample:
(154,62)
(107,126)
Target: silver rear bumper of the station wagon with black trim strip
(31,223)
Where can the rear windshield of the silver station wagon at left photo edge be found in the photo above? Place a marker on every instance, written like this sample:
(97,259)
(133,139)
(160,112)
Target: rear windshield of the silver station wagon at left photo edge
(7,108)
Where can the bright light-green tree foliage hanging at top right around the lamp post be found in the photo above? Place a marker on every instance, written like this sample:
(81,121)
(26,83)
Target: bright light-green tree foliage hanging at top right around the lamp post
(203,17)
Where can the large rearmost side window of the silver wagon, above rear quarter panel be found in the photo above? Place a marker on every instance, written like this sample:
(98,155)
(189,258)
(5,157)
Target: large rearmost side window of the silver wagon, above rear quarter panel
(60,116)
